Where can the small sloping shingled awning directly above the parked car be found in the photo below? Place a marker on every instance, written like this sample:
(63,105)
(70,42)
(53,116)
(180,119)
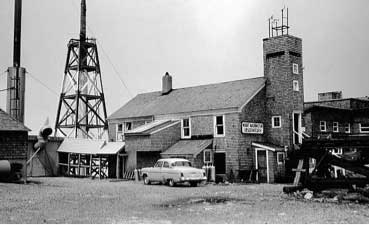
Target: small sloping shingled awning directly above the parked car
(188,147)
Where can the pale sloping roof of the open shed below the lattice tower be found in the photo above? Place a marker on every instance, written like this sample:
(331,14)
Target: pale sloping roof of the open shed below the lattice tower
(88,146)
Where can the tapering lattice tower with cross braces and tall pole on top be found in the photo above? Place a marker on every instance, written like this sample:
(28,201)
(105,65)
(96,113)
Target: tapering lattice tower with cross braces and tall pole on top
(81,111)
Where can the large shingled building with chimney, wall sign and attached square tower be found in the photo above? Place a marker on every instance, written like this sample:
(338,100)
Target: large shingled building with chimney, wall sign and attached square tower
(237,126)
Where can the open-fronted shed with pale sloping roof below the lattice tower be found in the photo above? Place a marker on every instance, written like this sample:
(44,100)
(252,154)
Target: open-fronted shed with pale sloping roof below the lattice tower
(93,158)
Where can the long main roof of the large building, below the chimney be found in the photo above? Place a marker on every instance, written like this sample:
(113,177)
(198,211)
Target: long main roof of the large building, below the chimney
(232,94)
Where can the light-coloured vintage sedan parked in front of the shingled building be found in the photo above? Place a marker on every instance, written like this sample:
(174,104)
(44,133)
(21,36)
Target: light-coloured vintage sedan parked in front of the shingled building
(172,171)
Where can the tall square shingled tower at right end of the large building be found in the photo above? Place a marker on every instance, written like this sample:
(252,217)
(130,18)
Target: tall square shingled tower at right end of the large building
(283,69)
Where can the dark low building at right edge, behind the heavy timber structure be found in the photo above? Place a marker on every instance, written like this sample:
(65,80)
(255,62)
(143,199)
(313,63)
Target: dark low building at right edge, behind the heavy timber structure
(337,119)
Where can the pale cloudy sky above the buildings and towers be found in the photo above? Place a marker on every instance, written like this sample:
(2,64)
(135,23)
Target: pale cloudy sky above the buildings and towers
(196,41)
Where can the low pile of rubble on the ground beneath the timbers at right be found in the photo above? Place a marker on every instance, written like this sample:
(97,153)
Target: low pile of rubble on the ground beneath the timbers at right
(355,194)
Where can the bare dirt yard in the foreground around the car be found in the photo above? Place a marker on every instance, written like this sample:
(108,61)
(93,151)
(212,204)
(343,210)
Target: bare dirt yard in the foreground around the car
(73,200)
